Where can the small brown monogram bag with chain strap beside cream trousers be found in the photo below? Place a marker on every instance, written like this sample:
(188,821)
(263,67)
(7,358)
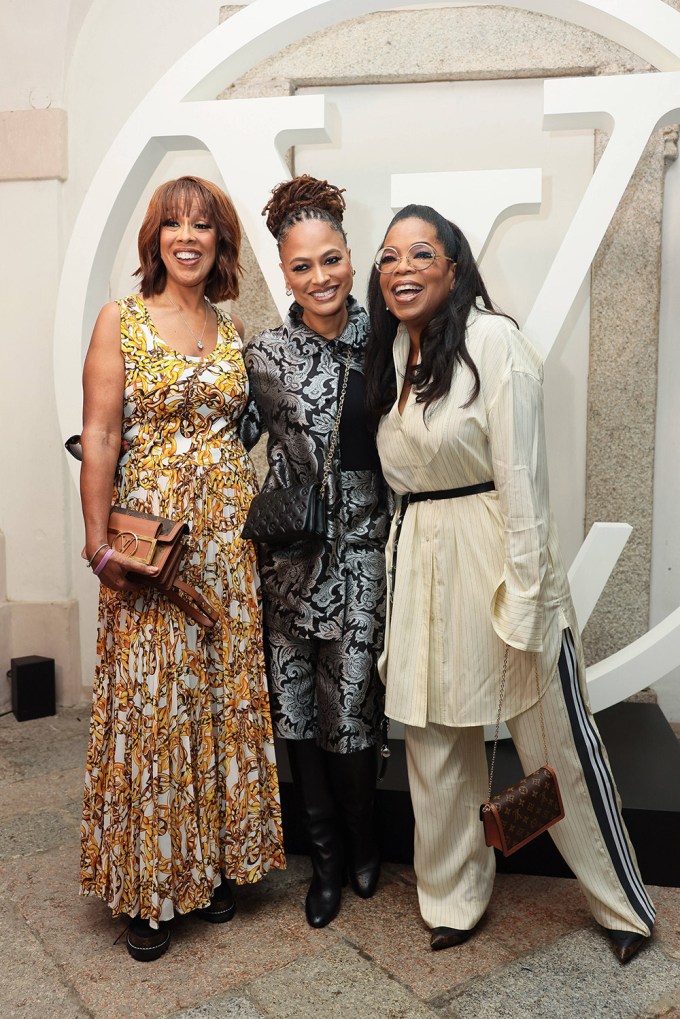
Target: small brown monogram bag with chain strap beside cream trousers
(524,812)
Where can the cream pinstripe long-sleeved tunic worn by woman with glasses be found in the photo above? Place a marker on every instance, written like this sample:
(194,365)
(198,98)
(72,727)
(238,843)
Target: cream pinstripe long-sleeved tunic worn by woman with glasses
(477,573)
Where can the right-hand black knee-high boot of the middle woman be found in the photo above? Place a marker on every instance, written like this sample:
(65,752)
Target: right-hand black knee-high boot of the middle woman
(353,777)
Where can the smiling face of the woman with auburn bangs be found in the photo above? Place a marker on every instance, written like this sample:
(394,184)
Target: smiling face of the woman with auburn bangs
(188,247)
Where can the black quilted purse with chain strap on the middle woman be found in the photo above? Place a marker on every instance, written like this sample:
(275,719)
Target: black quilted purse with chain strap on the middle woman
(283,516)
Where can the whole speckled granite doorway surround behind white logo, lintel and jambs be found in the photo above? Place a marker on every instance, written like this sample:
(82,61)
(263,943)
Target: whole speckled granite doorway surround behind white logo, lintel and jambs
(480,43)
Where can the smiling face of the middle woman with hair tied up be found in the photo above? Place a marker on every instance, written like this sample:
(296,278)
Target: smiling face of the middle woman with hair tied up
(318,267)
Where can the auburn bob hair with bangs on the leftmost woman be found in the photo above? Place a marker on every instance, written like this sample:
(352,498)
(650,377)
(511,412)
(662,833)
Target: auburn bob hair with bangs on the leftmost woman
(174,199)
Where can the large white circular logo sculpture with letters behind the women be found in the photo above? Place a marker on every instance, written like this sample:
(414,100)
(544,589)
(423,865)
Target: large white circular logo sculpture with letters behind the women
(180,113)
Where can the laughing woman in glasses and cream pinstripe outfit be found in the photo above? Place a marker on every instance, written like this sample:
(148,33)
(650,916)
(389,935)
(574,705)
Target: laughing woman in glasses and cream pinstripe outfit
(476,570)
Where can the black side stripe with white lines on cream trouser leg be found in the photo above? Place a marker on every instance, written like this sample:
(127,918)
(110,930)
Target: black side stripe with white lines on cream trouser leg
(601,785)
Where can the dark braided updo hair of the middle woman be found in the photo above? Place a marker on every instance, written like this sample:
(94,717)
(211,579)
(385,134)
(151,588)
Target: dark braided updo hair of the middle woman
(300,199)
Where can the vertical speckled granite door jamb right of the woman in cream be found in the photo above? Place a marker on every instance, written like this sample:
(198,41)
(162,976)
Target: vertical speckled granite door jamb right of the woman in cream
(622,395)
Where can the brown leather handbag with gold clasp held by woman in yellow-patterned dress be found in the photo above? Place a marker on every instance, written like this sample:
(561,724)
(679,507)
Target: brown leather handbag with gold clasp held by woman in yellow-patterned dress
(159,542)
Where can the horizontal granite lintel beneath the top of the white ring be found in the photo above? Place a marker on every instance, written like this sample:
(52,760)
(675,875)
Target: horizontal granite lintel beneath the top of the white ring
(456,44)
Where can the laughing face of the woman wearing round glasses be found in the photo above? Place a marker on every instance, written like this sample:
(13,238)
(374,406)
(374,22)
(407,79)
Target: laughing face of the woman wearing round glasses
(415,296)
